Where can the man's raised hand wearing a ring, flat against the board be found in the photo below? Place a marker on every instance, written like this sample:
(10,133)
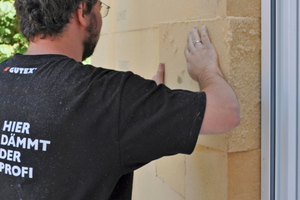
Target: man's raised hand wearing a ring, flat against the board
(201,55)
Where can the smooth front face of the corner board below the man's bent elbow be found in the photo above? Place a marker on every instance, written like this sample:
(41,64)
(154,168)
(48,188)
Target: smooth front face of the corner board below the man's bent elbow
(206,174)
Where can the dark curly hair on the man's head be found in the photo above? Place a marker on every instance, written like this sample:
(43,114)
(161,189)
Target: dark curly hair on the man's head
(46,17)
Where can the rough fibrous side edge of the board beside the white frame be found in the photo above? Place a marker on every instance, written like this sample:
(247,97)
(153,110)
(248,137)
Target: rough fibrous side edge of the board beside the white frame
(244,77)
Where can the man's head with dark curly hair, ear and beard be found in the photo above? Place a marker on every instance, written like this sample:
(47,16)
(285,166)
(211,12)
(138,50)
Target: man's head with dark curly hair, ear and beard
(46,19)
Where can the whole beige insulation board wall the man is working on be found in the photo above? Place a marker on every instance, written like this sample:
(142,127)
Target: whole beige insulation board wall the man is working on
(138,34)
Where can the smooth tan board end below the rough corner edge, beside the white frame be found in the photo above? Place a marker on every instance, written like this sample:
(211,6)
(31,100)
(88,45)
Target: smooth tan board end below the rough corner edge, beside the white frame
(244,175)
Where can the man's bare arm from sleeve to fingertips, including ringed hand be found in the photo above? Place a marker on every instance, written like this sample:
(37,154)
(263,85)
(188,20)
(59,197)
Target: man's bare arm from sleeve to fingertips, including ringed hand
(222,109)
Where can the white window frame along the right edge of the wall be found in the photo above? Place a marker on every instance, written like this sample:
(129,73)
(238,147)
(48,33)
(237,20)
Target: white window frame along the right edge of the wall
(280,100)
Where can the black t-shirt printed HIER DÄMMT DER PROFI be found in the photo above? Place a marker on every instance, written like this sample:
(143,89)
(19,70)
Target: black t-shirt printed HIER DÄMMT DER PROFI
(73,131)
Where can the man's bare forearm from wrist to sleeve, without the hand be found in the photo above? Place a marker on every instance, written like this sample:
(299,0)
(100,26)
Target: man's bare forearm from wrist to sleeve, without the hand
(222,109)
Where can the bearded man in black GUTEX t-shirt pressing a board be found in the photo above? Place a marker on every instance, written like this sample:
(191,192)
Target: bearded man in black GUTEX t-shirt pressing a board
(70,131)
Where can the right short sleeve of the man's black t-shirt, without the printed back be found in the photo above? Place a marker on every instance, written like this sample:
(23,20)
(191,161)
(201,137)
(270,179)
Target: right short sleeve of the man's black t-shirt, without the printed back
(156,121)
